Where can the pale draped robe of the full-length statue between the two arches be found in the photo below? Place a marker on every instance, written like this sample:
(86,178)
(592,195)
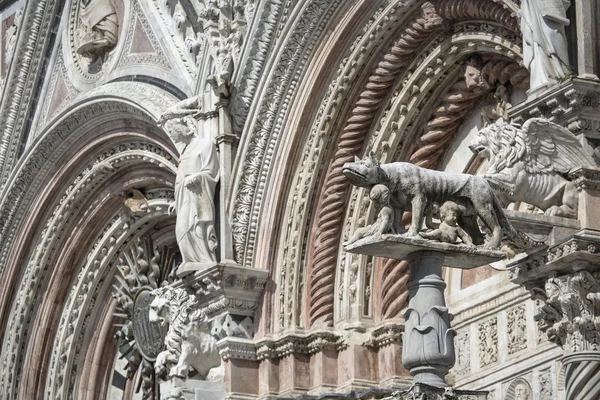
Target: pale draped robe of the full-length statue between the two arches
(195,226)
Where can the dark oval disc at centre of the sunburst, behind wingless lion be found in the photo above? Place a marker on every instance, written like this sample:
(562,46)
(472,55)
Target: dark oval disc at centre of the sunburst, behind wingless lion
(149,337)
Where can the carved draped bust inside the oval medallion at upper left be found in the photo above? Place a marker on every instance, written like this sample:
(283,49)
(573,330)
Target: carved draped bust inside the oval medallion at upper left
(101,28)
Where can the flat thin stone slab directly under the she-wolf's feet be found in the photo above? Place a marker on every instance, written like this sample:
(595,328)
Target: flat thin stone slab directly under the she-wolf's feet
(399,247)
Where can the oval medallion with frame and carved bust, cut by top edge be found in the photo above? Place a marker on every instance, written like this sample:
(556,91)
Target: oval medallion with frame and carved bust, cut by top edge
(94,31)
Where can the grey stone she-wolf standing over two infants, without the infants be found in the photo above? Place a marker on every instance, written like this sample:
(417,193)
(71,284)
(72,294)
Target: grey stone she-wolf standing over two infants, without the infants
(417,189)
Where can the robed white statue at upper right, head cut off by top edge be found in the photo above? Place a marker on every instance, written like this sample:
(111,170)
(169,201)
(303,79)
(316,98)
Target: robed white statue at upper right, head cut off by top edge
(545,50)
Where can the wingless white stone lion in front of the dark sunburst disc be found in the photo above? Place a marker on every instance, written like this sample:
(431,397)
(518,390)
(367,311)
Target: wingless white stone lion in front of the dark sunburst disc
(189,341)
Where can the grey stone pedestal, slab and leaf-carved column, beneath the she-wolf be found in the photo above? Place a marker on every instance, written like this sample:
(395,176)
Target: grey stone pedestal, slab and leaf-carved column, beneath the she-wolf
(428,339)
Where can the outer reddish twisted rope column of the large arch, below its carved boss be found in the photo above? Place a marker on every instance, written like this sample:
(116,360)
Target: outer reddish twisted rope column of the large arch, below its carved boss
(331,207)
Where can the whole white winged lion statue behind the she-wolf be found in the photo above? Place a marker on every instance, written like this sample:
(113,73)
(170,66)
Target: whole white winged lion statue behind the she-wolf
(531,164)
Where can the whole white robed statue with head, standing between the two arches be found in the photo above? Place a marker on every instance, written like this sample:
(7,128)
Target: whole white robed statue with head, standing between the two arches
(197,177)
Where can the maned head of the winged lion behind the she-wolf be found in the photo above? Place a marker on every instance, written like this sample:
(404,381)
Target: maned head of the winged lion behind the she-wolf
(502,144)
